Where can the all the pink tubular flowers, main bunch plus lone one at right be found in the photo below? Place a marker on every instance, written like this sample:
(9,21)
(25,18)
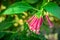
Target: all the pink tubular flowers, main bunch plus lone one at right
(35,23)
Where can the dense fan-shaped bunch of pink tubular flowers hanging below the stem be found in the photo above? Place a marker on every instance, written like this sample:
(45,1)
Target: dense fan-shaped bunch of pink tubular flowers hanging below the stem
(34,24)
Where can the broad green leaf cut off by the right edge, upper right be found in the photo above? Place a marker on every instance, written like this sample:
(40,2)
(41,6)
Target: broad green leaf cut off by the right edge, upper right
(53,8)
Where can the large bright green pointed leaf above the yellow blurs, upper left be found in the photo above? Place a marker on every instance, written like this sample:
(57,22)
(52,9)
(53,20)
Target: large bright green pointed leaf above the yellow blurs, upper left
(17,7)
